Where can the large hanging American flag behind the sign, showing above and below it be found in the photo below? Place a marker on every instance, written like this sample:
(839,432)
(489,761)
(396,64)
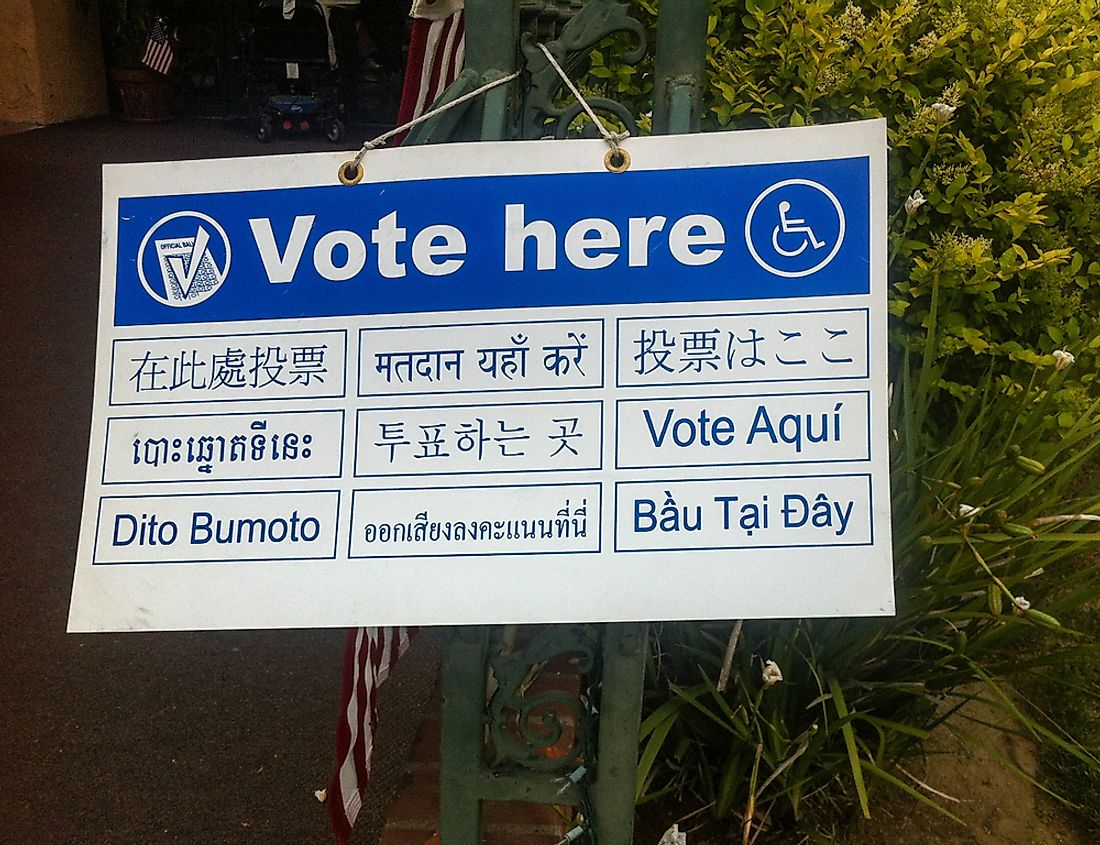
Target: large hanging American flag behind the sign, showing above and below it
(436,57)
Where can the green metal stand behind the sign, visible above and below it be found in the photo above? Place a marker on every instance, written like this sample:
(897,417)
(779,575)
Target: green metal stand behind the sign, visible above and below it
(467,780)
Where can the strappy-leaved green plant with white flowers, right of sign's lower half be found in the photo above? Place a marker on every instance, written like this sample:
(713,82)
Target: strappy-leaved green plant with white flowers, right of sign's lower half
(982,528)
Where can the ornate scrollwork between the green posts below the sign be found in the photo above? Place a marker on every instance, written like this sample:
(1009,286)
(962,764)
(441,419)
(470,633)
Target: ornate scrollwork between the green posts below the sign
(537,726)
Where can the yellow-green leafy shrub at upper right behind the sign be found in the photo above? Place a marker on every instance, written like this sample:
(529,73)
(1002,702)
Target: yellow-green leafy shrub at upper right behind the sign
(994,116)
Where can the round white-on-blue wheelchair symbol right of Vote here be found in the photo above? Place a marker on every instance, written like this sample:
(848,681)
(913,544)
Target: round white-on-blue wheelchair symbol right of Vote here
(795,228)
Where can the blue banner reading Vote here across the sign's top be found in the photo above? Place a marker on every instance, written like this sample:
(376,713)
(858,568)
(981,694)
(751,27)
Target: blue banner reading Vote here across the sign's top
(699,235)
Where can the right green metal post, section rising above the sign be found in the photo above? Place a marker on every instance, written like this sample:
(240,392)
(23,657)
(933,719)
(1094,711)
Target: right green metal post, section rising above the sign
(680,67)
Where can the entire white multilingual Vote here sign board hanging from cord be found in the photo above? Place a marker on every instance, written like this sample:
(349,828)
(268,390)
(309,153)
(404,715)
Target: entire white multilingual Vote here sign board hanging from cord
(493,383)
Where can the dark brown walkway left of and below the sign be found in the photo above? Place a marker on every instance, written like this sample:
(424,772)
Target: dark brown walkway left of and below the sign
(144,739)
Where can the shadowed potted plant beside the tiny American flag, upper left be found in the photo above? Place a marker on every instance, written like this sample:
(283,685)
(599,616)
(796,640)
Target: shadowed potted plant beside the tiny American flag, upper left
(144,94)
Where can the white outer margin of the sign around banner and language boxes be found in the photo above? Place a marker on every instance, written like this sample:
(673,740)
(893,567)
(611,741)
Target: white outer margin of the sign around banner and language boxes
(478,590)
